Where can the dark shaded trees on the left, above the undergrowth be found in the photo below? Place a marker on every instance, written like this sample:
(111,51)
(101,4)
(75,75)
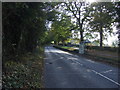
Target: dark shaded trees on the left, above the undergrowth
(23,26)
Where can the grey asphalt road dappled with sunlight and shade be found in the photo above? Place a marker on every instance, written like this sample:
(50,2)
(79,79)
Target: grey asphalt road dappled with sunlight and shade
(65,70)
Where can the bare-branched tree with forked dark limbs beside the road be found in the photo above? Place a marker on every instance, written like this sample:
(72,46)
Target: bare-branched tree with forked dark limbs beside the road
(80,13)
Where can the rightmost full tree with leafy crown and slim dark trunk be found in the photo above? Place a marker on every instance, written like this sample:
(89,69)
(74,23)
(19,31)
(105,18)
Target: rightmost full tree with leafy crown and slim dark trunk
(102,18)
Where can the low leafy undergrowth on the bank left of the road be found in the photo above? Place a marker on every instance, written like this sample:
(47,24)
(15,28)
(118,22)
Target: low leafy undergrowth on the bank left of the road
(25,72)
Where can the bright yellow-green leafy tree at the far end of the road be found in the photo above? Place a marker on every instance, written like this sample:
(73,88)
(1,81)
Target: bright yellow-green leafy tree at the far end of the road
(61,29)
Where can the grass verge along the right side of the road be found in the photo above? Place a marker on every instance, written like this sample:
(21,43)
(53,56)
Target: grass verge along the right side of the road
(97,56)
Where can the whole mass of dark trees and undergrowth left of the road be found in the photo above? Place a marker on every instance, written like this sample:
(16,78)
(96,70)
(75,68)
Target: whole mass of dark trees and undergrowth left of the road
(24,30)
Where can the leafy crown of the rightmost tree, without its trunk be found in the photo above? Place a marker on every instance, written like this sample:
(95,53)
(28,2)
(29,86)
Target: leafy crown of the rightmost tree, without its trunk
(101,15)
